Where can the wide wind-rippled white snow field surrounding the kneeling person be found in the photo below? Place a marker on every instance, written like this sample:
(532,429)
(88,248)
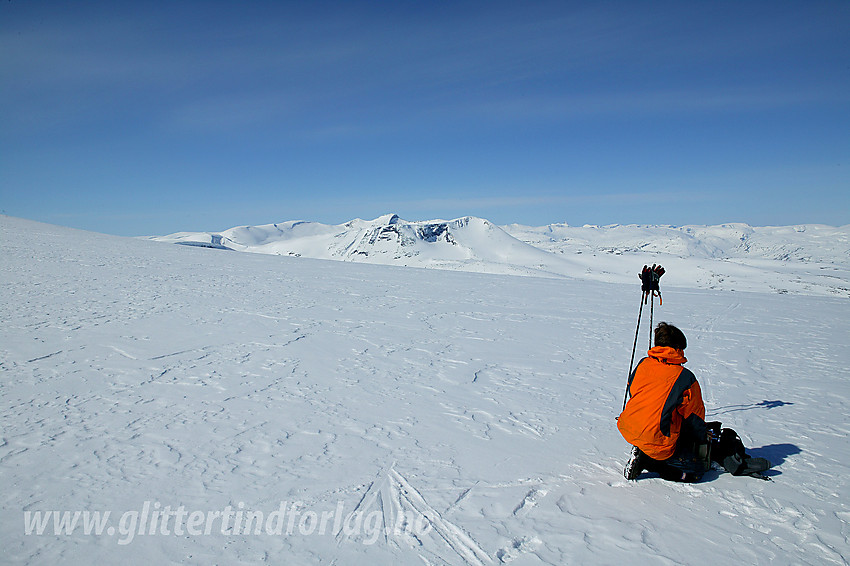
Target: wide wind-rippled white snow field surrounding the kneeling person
(233,408)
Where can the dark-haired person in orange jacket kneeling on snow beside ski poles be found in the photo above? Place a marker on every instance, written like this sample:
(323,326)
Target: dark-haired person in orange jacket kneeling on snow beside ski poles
(664,419)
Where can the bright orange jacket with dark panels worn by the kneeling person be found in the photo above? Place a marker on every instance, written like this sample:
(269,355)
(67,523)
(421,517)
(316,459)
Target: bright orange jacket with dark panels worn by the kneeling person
(663,396)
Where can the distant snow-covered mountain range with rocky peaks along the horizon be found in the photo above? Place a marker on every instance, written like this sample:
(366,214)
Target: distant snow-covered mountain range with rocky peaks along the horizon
(809,259)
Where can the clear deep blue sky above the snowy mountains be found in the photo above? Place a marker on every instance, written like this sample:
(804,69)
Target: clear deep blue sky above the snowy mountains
(141,118)
